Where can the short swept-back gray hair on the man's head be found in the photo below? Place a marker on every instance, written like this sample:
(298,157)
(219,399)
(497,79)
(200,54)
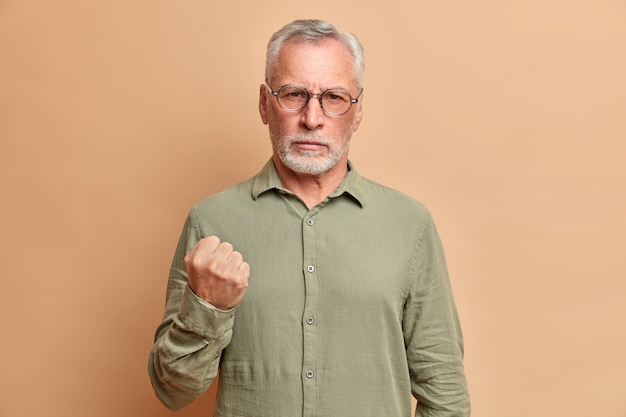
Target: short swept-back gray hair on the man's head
(314,31)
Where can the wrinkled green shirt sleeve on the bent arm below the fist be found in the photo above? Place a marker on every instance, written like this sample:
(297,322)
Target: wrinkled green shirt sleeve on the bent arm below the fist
(185,357)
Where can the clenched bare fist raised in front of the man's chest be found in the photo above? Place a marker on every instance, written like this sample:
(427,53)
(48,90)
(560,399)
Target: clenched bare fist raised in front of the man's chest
(217,273)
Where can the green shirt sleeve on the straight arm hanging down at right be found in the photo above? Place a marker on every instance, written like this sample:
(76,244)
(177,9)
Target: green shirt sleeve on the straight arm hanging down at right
(432,332)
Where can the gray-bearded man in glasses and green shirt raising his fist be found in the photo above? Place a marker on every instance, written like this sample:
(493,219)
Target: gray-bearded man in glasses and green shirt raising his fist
(313,290)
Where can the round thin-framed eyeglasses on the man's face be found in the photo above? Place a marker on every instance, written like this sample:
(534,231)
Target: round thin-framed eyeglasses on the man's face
(334,102)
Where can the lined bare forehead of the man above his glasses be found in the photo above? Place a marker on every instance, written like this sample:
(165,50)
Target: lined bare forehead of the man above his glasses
(325,64)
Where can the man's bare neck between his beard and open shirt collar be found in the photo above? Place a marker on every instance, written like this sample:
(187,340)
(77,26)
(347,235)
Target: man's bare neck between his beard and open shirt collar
(312,189)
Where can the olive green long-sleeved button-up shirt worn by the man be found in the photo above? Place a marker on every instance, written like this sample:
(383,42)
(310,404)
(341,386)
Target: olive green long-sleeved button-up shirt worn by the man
(348,312)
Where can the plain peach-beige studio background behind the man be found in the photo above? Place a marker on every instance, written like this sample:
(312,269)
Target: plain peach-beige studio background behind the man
(506,118)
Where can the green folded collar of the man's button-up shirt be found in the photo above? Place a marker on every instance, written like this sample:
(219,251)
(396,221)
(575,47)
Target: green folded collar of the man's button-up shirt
(267,179)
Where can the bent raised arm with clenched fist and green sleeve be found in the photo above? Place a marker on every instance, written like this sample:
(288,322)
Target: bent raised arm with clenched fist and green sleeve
(184,359)
